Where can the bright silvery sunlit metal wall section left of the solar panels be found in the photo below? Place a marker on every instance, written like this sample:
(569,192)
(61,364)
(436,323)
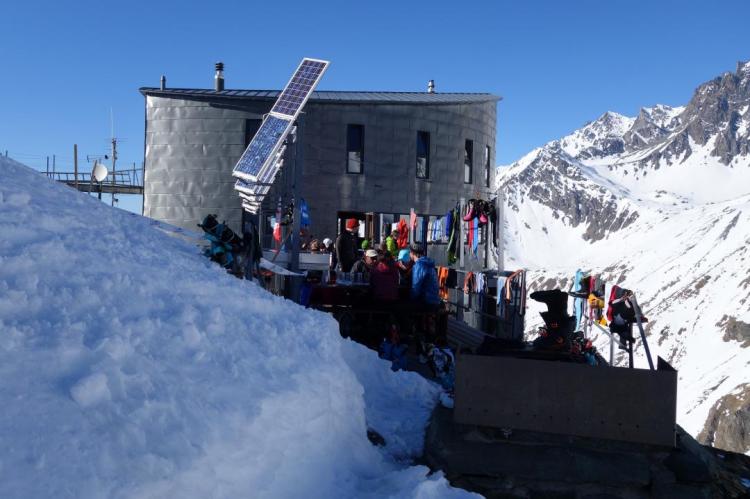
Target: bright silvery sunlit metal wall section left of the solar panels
(191,148)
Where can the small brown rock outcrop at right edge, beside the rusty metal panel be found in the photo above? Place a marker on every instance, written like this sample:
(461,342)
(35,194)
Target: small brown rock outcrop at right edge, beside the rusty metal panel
(728,425)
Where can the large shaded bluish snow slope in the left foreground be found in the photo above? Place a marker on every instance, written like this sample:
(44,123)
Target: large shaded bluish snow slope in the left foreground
(131,366)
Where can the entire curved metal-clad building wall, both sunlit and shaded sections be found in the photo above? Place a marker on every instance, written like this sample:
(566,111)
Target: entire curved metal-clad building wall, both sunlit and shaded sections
(192,145)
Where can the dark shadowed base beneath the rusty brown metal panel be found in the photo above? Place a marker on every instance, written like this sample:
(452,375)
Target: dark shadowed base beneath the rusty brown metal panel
(513,464)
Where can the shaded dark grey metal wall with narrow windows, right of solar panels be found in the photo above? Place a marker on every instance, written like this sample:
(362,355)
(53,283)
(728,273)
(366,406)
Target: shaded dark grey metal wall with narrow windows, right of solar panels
(389,183)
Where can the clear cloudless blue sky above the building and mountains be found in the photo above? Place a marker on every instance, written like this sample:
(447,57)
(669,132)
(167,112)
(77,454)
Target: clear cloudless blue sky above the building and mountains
(557,64)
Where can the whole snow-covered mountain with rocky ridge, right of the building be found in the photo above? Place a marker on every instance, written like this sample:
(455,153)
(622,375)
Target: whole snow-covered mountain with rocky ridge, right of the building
(659,203)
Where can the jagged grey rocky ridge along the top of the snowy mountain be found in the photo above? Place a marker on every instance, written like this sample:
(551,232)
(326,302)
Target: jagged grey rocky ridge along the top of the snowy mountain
(557,175)
